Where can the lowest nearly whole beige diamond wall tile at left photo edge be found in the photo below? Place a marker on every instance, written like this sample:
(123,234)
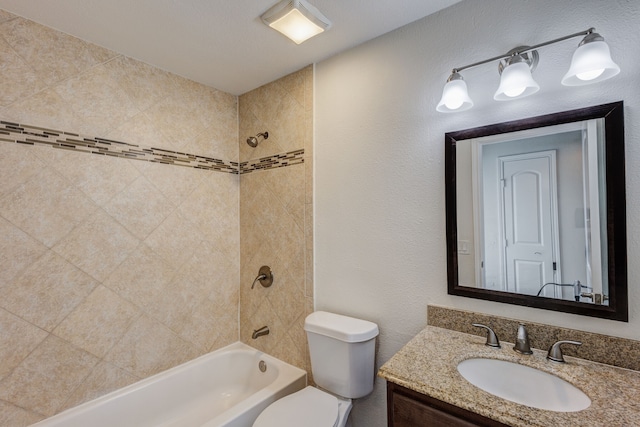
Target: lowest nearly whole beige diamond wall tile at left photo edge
(49,374)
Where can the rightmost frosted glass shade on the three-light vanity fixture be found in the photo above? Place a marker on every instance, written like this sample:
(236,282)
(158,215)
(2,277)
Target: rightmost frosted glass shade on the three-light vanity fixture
(591,63)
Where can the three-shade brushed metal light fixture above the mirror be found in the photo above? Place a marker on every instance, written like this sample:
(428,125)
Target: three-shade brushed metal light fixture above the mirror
(591,63)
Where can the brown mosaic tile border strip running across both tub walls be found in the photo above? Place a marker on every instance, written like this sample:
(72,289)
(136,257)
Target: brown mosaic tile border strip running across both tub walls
(32,135)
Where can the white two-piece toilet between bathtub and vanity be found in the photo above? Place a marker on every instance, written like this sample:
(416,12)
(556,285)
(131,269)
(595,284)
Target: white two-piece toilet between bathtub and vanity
(342,353)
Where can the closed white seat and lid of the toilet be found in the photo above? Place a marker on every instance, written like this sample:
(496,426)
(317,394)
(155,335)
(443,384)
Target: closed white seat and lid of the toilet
(308,407)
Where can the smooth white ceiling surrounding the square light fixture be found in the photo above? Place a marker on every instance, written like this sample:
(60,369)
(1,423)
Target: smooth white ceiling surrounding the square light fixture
(221,43)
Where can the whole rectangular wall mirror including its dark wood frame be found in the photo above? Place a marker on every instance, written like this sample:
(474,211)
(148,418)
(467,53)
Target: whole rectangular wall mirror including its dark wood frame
(536,212)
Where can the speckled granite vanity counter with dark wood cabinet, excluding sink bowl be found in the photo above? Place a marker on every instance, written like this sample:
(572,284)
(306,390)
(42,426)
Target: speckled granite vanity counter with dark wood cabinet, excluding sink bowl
(425,387)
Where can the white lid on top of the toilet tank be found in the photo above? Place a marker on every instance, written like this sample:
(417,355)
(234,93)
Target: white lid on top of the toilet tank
(343,328)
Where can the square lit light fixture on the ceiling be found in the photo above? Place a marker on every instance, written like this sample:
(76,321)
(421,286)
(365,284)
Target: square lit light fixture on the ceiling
(296,19)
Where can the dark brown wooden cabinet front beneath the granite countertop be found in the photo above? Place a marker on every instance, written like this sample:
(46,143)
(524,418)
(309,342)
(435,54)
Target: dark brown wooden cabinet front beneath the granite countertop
(407,408)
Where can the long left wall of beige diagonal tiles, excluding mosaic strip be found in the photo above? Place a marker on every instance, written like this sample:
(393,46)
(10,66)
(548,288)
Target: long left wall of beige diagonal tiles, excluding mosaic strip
(111,269)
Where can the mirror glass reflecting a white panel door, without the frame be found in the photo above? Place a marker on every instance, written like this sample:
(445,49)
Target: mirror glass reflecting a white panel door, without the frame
(531,212)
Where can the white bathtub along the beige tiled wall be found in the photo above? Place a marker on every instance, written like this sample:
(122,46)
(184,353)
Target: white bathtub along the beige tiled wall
(223,388)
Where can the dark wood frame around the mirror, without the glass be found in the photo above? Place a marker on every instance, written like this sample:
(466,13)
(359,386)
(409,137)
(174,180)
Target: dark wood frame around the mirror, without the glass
(613,115)
